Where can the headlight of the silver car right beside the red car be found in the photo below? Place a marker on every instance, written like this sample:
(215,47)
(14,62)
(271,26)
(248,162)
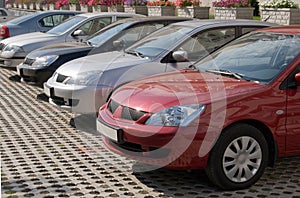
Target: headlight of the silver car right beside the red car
(89,78)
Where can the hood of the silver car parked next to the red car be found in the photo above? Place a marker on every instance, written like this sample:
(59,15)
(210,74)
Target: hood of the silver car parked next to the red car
(100,62)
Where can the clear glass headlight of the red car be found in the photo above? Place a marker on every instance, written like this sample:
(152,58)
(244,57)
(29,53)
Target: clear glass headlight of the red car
(181,115)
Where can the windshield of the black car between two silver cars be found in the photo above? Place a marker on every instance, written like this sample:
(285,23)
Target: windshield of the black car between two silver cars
(107,33)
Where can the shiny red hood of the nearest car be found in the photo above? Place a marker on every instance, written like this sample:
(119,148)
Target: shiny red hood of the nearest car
(178,88)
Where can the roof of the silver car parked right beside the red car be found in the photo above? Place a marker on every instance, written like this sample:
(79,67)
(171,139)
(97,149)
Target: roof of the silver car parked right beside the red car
(197,23)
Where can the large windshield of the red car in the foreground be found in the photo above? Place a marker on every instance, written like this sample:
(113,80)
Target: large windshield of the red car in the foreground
(259,56)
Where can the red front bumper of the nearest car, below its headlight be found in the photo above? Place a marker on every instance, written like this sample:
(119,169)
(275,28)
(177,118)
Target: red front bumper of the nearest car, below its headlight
(171,147)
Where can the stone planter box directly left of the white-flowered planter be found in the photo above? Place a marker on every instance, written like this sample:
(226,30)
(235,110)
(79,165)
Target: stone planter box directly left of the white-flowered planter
(233,13)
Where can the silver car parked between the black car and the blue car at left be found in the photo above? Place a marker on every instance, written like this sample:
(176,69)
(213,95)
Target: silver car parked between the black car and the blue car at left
(14,49)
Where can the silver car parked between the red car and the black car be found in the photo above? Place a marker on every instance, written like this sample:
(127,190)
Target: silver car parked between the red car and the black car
(84,84)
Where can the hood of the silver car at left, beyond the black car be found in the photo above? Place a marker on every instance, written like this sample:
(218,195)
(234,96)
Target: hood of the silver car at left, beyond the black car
(31,41)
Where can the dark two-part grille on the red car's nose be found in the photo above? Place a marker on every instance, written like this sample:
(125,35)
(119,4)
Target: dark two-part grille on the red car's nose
(126,113)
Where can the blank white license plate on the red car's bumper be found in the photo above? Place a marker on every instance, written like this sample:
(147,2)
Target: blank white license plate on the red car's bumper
(111,132)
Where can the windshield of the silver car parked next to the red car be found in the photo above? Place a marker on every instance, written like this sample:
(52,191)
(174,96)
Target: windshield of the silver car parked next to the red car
(160,41)
